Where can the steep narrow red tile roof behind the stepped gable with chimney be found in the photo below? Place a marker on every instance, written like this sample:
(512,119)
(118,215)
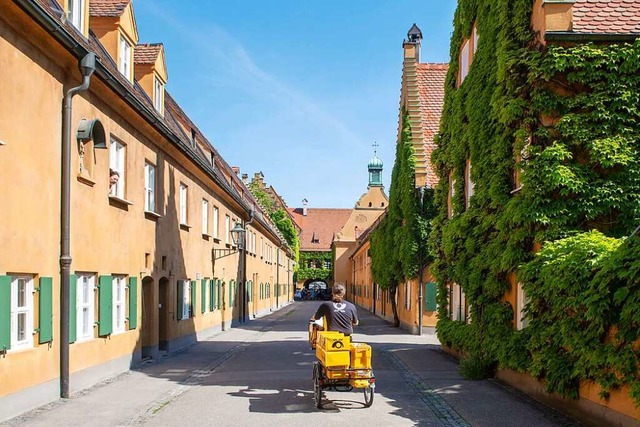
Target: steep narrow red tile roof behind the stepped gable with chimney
(431,78)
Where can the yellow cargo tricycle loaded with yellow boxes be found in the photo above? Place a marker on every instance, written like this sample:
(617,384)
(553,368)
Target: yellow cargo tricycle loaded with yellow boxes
(341,364)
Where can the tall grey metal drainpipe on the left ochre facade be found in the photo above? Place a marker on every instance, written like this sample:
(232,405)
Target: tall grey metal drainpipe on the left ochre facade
(87,67)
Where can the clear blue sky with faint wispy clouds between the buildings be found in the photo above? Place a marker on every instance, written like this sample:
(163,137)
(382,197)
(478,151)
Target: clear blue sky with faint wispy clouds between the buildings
(299,90)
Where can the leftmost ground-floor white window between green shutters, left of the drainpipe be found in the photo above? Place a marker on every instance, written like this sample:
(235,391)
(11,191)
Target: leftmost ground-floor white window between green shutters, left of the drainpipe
(21,312)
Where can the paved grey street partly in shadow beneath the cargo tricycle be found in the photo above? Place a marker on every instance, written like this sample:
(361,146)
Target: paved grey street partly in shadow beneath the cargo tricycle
(260,375)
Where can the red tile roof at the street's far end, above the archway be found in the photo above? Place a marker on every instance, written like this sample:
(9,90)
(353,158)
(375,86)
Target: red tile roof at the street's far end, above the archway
(319,226)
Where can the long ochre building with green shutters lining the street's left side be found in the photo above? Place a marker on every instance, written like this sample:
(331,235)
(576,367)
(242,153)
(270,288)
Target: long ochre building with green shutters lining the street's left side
(153,266)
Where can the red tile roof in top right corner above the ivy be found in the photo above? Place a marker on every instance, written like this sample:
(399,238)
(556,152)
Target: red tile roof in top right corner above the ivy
(606,16)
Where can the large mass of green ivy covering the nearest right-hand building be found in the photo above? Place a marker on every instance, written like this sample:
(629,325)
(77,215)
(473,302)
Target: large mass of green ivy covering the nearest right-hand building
(553,137)
